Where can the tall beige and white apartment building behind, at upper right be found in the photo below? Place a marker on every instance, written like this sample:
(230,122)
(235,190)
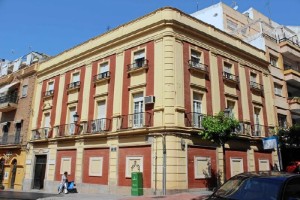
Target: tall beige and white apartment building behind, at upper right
(281,44)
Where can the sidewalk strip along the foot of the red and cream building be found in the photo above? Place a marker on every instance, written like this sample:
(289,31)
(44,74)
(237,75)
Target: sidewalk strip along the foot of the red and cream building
(80,196)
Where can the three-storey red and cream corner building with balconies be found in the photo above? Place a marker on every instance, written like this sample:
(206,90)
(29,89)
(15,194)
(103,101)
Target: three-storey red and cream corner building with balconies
(133,99)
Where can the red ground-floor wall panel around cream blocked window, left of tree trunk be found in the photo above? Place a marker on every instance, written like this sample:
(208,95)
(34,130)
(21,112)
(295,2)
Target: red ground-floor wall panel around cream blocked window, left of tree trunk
(205,152)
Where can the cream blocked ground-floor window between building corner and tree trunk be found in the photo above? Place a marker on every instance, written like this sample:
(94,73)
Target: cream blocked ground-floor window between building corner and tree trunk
(202,167)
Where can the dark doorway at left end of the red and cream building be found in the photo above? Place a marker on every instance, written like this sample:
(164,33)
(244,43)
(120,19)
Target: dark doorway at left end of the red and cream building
(39,172)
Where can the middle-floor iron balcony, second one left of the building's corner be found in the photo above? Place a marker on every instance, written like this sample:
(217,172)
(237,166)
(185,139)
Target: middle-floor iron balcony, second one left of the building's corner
(98,126)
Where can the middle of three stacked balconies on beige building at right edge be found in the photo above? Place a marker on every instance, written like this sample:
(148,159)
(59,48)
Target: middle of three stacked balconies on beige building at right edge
(292,75)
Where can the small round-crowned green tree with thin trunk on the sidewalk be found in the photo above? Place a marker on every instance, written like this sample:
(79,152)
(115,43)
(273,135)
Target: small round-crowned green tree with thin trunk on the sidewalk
(219,129)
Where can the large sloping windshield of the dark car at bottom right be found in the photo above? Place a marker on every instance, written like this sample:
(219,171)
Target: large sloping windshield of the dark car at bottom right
(250,188)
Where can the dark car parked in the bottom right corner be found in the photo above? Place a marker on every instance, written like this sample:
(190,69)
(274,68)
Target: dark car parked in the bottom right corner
(260,186)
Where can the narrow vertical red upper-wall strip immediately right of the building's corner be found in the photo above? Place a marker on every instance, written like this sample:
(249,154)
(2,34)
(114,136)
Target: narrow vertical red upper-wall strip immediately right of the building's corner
(186,76)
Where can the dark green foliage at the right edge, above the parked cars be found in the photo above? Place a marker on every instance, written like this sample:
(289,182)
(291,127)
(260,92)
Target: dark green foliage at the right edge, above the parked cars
(290,137)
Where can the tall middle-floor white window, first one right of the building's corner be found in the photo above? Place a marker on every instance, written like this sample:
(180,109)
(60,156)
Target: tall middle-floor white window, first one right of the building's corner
(197,108)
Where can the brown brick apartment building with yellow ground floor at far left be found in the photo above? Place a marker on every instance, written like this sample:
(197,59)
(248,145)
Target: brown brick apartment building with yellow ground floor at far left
(17,82)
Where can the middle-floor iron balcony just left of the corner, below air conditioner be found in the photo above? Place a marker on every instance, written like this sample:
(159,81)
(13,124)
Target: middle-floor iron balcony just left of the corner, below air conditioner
(134,121)
